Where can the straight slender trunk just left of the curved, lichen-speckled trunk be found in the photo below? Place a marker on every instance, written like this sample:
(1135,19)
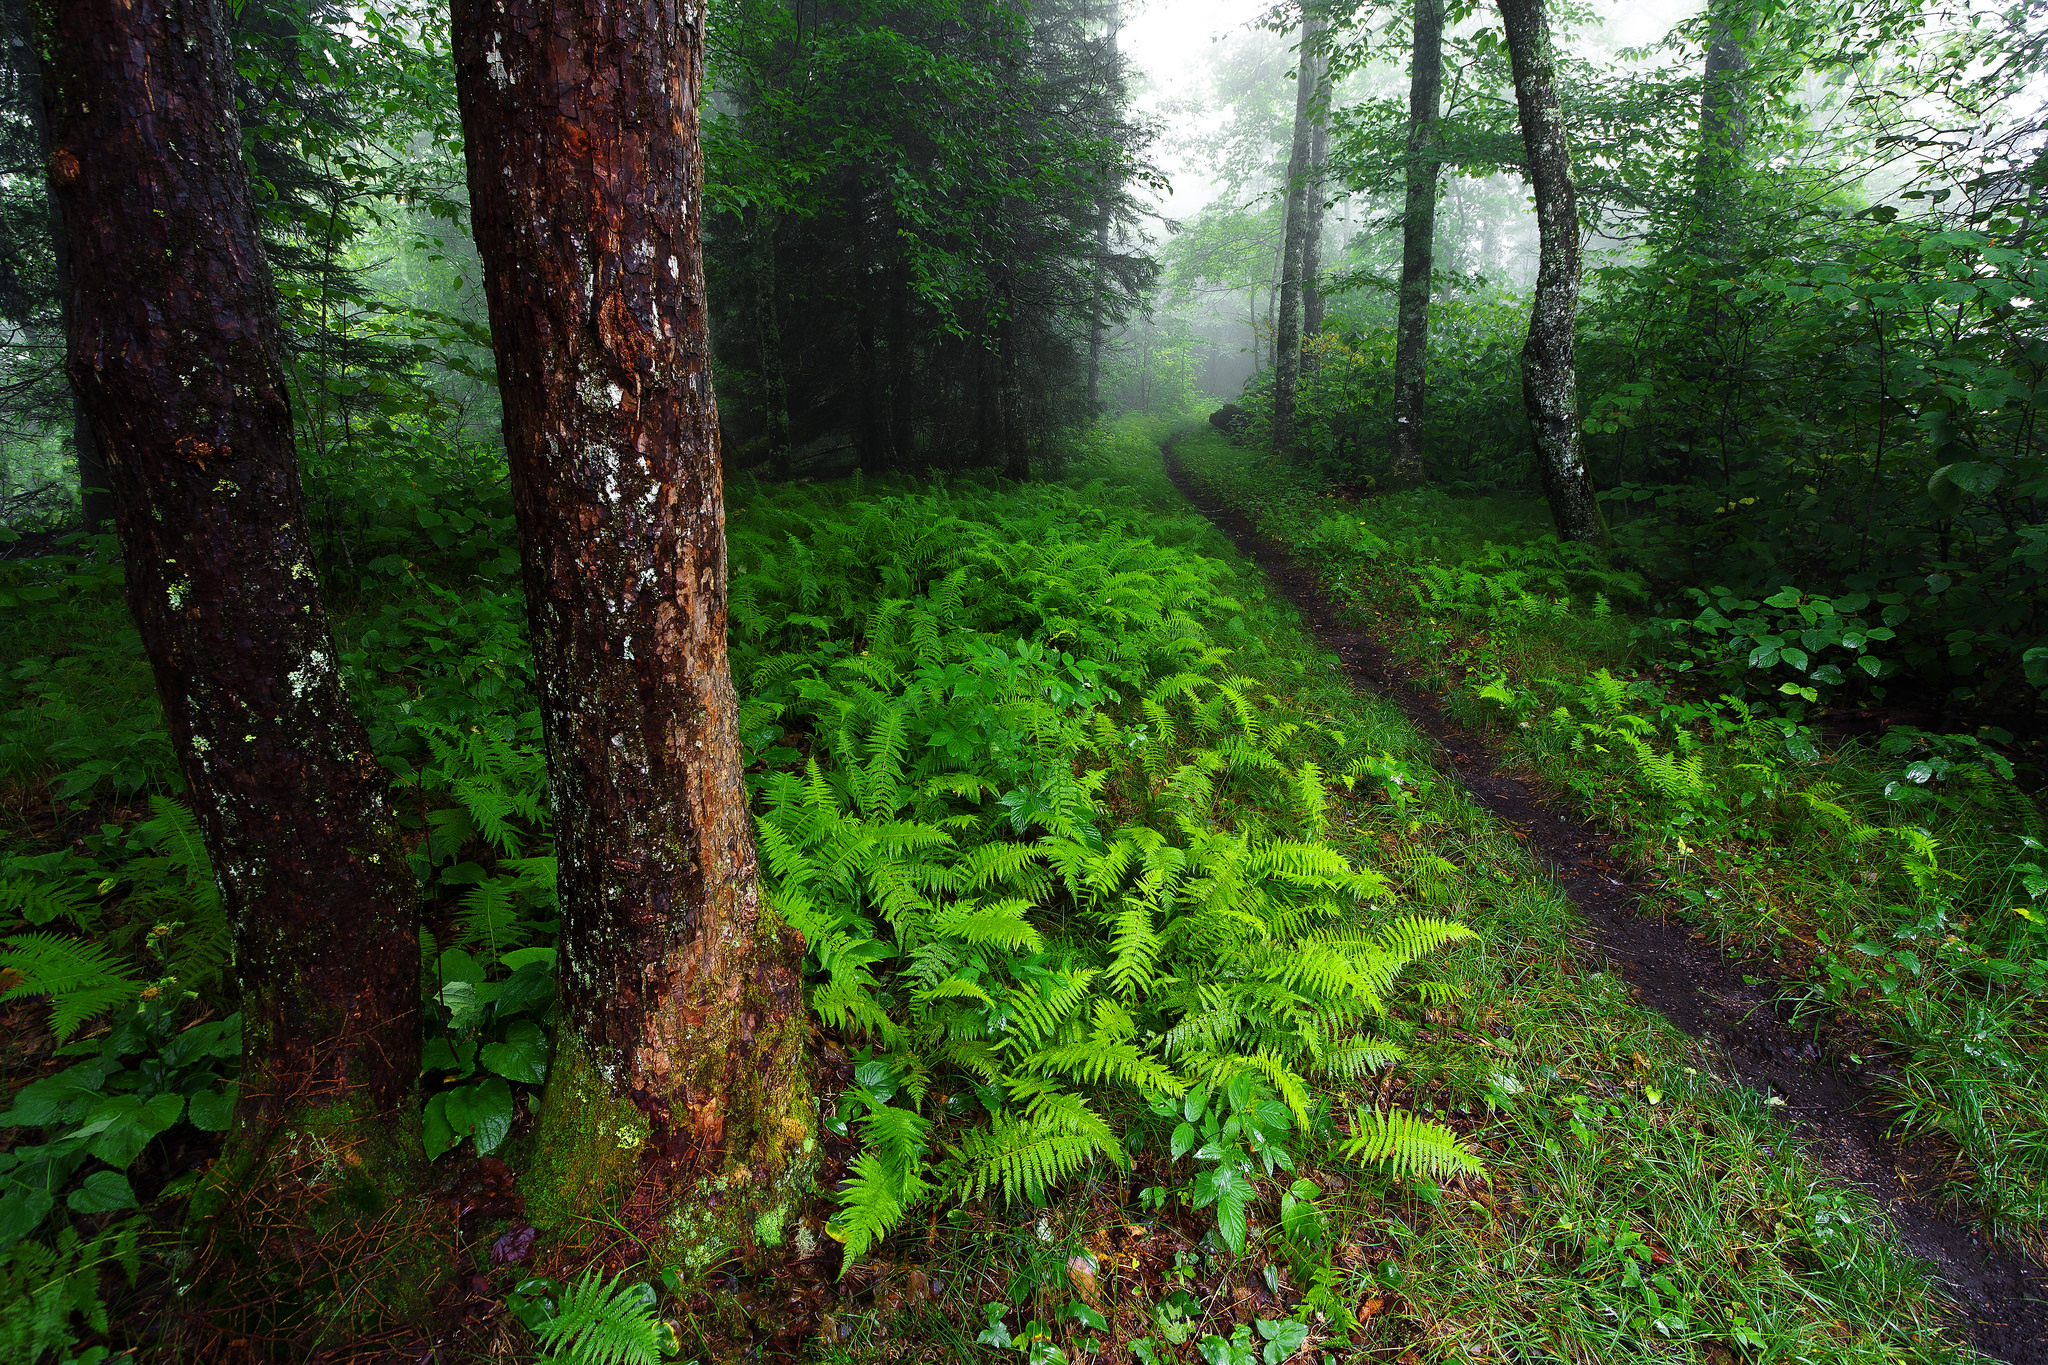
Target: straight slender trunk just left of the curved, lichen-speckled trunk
(1418,249)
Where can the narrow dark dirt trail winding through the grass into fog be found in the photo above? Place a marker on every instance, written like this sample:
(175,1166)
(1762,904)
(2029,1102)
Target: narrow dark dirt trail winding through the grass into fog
(1687,979)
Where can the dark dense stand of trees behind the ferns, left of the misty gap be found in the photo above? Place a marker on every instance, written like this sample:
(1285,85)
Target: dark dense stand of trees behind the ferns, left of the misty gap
(921,212)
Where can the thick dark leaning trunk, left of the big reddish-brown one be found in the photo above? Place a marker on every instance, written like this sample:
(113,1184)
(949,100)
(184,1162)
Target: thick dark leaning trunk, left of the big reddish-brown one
(175,357)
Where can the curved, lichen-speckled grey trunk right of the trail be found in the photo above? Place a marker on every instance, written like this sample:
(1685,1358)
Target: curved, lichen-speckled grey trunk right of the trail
(1549,384)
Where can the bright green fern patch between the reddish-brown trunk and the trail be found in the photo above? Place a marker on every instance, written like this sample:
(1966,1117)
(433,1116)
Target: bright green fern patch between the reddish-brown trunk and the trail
(1048,850)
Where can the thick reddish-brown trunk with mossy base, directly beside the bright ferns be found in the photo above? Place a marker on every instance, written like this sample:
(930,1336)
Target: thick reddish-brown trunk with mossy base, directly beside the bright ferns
(677,1104)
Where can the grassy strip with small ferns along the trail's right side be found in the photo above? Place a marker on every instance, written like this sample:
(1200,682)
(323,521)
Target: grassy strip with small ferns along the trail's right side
(1895,906)
